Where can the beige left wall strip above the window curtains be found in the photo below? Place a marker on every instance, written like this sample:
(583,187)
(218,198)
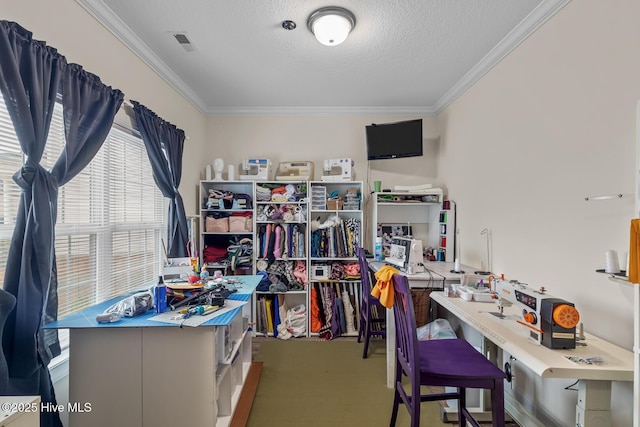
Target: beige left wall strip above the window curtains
(66,26)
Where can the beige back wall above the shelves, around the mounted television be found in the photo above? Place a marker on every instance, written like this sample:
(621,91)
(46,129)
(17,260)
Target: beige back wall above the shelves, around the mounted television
(317,138)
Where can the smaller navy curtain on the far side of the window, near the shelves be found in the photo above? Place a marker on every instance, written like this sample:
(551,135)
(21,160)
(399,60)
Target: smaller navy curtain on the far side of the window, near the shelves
(165,143)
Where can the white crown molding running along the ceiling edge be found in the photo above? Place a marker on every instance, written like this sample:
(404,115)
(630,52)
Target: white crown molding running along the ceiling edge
(122,32)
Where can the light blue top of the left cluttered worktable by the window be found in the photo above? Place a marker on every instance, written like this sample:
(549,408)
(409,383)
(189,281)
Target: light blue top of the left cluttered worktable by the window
(86,318)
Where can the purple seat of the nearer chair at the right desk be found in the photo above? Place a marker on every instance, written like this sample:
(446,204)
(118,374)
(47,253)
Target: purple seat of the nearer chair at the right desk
(447,361)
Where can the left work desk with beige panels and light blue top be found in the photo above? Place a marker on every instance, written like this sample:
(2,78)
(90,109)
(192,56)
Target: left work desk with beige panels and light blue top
(139,372)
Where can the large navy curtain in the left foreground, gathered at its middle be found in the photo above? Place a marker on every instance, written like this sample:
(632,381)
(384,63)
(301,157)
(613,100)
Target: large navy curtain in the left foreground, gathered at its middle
(31,76)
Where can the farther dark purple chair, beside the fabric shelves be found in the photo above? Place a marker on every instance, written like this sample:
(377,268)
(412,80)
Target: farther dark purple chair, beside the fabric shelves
(366,327)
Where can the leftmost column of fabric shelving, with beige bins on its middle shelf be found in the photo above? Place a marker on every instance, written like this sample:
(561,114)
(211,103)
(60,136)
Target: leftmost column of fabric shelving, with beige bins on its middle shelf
(226,226)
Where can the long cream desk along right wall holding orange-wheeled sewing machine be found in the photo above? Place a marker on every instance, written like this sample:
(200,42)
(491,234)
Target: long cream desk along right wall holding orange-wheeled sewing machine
(594,388)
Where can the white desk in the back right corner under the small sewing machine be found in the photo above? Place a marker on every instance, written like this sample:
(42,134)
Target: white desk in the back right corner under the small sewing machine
(438,274)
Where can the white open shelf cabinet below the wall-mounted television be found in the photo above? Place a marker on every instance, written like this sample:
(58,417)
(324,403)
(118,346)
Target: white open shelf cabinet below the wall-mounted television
(420,214)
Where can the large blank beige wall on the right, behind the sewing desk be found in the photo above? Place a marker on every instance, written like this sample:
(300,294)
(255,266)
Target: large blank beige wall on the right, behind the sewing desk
(554,123)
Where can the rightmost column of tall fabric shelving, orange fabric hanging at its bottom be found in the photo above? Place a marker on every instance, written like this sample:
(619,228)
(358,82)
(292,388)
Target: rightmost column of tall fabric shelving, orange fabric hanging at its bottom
(335,221)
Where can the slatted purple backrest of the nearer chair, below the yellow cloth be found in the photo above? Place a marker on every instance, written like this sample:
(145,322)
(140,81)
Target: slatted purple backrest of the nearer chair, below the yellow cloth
(405,321)
